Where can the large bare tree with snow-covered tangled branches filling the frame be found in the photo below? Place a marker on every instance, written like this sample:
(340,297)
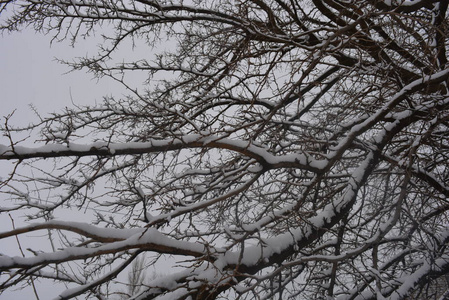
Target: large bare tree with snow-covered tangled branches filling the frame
(297,150)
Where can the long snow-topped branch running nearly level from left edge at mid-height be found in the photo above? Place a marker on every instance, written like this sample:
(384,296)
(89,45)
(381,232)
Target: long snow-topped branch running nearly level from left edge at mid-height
(297,160)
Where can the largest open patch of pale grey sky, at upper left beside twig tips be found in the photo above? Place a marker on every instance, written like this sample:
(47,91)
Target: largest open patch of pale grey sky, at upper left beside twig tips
(29,74)
